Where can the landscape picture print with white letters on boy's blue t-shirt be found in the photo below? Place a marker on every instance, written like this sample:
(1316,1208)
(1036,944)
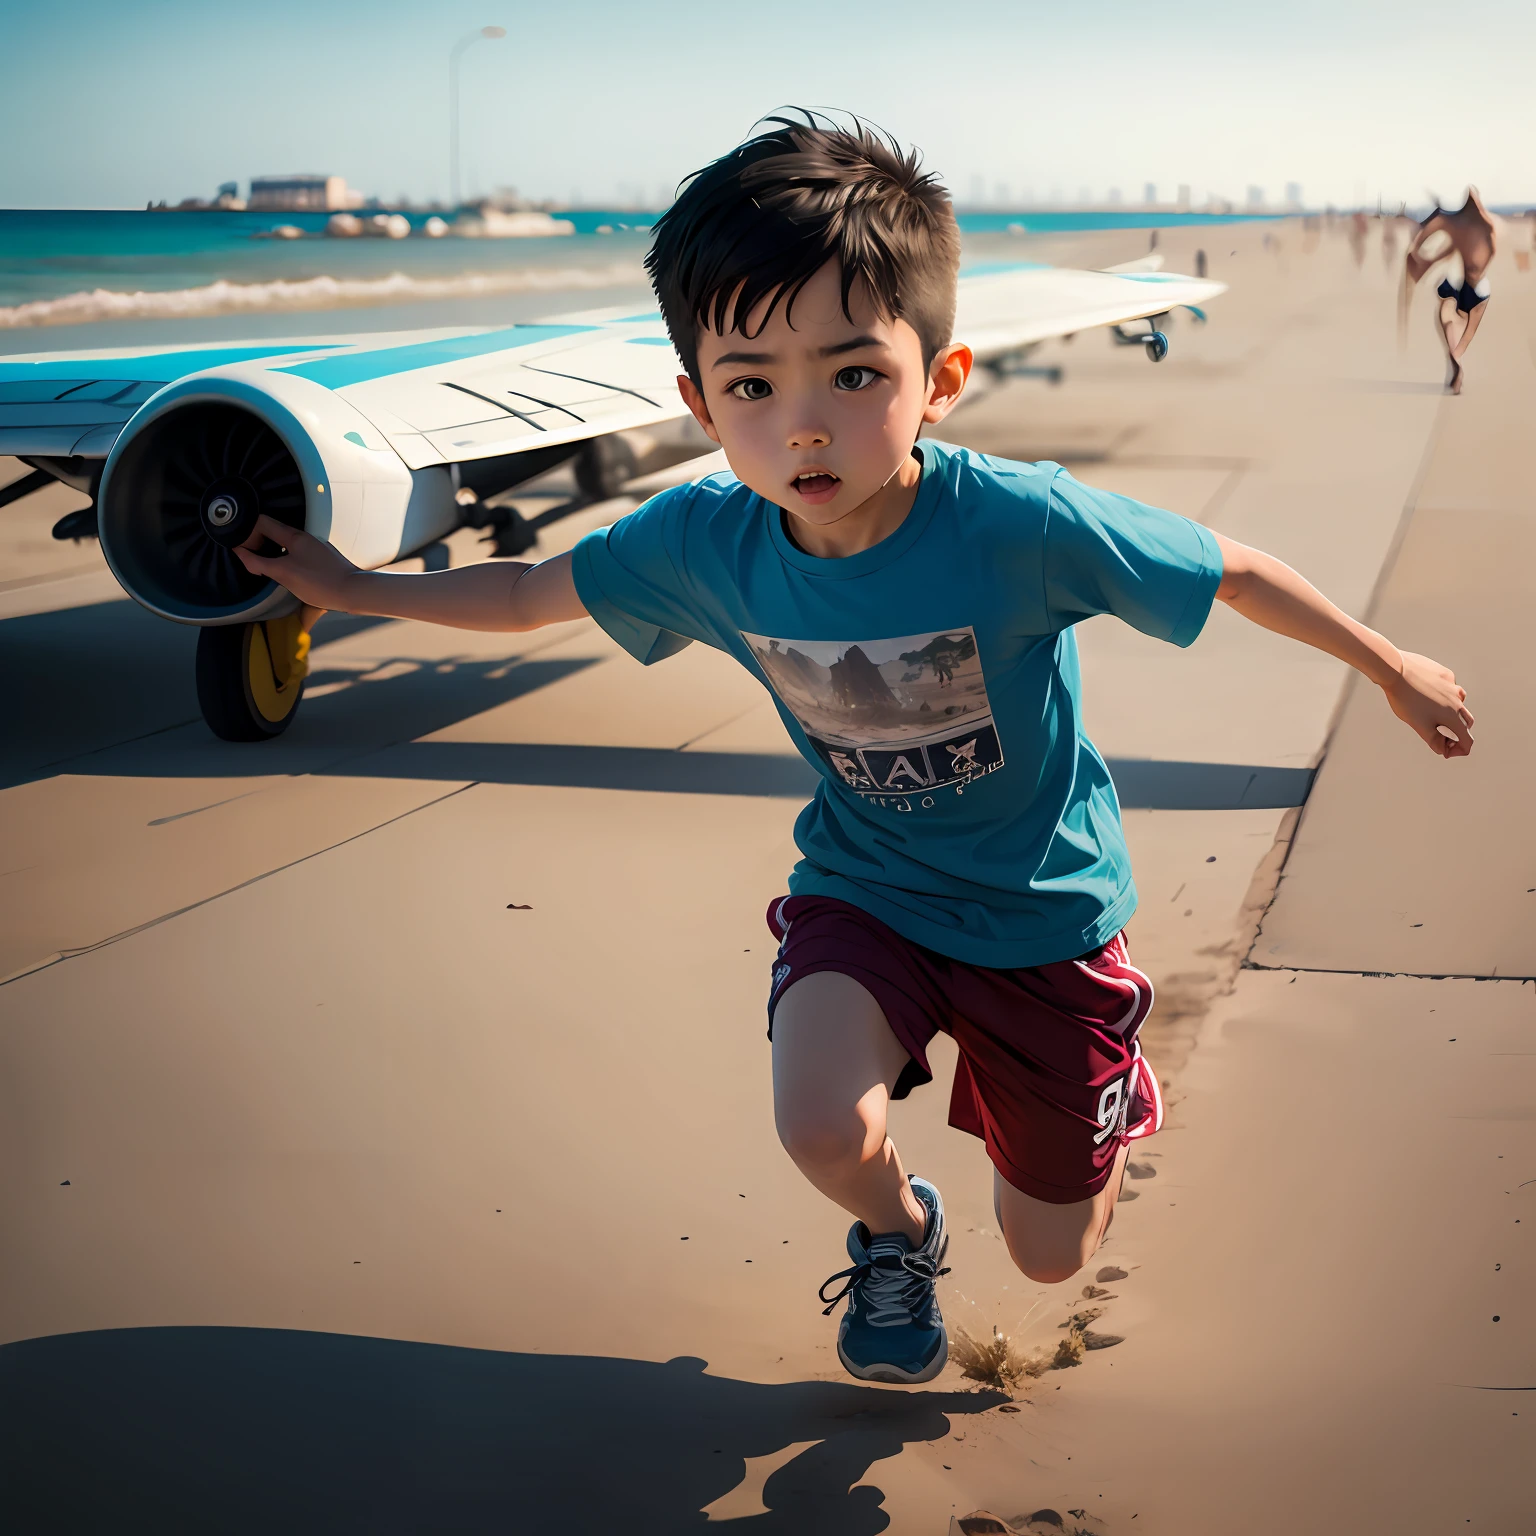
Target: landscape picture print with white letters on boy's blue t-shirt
(889,717)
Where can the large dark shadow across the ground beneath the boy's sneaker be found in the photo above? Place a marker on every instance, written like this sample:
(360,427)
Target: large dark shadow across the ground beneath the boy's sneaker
(260,1431)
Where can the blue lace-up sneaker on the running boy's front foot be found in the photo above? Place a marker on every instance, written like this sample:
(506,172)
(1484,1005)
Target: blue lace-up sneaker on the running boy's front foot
(893,1329)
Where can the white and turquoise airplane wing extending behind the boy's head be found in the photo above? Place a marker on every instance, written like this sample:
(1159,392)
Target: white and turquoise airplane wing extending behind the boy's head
(446,397)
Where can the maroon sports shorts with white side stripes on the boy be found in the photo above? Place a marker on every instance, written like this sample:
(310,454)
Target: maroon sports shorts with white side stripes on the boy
(1050,1074)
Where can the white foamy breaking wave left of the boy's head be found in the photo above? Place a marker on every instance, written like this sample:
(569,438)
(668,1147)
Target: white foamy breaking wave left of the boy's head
(325,293)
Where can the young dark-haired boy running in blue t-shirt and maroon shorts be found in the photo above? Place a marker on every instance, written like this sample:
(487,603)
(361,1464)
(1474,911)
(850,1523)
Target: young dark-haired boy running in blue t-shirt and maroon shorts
(910,607)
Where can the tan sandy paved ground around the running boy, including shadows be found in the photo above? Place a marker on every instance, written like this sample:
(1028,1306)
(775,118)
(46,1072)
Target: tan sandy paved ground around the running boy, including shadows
(386,1136)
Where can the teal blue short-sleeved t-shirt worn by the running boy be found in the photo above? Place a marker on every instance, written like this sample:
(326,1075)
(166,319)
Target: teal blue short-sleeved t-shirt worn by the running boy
(932,680)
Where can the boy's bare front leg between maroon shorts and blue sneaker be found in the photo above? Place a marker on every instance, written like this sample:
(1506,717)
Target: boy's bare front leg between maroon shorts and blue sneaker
(835,1065)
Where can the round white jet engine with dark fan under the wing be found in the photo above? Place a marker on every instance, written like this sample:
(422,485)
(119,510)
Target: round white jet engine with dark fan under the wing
(205,457)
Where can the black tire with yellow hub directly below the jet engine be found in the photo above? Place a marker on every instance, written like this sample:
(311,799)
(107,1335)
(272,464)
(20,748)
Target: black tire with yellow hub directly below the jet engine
(251,677)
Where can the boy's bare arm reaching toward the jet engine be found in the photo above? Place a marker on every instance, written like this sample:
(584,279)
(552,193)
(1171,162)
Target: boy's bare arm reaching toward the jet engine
(495,595)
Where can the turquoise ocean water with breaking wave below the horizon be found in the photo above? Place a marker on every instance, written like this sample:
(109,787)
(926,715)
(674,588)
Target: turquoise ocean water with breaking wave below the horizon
(113,277)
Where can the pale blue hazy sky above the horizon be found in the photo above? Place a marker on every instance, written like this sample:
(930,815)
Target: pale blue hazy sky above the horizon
(111,105)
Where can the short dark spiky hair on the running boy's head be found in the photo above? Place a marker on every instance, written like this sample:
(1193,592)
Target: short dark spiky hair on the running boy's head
(763,220)
